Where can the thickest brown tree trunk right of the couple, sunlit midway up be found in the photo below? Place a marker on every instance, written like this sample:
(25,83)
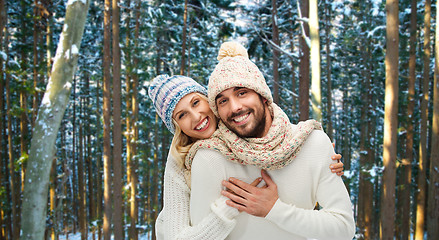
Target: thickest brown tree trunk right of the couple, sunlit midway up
(390,121)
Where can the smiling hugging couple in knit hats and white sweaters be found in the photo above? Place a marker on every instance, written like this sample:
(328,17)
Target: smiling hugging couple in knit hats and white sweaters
(237,167)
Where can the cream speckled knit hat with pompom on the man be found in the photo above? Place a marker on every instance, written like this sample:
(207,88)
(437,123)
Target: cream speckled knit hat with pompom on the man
(235,70)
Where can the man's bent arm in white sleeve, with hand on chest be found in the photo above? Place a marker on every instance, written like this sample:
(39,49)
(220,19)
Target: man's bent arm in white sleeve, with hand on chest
(334,221)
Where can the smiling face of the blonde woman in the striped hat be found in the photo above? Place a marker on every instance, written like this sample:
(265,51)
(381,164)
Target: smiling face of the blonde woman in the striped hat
(193,115)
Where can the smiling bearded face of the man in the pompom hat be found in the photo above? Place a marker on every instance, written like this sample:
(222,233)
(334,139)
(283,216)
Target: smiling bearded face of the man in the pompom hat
(243,111)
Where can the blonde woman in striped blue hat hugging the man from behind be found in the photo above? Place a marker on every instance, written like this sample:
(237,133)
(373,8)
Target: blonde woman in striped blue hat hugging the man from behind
(182,105)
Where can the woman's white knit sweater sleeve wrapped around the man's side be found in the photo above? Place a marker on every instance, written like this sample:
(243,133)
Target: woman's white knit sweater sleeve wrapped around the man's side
(174,220)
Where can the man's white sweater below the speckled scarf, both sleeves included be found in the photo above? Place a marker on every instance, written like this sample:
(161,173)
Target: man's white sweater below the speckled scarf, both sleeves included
(305,181)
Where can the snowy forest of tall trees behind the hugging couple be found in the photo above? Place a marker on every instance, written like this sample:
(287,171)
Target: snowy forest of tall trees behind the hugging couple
(83,151)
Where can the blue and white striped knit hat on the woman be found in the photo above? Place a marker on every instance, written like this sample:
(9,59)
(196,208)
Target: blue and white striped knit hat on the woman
(165,92)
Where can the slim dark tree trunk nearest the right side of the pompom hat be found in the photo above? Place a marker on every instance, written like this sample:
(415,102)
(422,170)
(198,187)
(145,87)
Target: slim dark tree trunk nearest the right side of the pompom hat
(276,54)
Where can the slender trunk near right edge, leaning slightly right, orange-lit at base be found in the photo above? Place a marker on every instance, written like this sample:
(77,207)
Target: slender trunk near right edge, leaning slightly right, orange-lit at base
(422,184)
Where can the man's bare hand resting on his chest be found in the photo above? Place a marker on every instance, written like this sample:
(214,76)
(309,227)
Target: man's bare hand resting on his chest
(256,201)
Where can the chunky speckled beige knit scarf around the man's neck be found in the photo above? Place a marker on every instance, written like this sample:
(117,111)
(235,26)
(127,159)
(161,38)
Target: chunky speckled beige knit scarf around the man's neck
(273,151)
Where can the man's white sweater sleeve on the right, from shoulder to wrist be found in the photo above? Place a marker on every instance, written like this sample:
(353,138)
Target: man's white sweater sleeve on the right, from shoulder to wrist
(335,219)
